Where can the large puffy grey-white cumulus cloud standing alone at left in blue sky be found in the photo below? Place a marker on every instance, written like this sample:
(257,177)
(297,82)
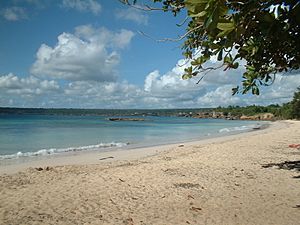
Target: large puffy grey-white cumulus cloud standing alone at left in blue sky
(88,54)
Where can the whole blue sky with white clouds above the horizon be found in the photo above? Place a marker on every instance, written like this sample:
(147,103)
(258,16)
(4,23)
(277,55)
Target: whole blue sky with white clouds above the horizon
(102,54)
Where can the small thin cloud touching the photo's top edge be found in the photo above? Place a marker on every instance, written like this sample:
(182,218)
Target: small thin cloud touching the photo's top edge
(83,5)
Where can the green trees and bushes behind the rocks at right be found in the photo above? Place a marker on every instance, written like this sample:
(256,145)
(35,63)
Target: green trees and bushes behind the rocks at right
(290,110)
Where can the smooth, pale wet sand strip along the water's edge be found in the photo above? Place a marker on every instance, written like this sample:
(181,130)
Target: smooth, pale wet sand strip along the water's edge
(130,152)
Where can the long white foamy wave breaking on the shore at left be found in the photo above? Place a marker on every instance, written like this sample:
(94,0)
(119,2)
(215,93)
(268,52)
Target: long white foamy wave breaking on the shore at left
(52,151)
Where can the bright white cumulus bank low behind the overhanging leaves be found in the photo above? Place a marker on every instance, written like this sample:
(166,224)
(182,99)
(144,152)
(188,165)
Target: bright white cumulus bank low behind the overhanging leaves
(214,90)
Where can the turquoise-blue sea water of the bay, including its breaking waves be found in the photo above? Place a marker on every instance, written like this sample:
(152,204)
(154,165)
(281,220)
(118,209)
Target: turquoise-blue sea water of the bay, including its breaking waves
(32,135)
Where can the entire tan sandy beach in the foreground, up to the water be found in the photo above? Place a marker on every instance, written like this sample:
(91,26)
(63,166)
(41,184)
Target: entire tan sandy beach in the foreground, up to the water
(229,180)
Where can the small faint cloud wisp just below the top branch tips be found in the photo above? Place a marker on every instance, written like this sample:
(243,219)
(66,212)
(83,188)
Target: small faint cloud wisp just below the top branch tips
(132,14)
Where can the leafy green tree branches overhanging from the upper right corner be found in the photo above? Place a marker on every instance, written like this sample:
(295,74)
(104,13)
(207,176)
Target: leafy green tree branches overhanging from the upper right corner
(263,34)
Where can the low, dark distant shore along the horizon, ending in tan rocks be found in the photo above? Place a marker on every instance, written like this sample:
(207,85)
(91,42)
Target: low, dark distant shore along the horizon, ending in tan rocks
(200,113)
